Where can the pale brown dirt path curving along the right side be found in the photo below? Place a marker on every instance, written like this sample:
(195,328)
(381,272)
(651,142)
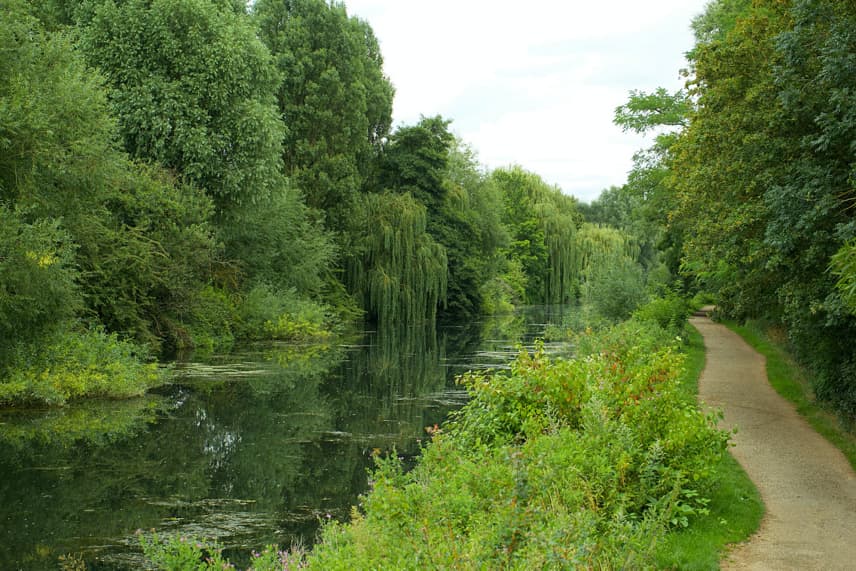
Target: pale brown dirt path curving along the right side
(807,485)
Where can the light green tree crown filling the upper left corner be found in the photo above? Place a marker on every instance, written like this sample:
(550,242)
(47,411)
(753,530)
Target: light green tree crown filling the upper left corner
(56,136)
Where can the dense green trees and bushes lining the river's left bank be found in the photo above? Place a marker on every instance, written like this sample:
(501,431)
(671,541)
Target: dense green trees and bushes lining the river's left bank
(180,174)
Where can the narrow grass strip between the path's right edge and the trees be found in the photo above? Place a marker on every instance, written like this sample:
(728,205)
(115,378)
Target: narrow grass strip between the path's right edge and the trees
(793,382)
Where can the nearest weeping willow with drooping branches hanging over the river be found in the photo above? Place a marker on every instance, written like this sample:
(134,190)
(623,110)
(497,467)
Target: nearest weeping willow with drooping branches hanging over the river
(395,266)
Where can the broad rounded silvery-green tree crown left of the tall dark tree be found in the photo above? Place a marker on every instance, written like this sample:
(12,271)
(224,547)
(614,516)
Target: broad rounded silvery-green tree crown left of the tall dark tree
(193,88)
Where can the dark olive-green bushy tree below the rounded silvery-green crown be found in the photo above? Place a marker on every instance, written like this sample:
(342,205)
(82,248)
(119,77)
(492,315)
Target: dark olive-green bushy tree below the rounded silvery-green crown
(145,264)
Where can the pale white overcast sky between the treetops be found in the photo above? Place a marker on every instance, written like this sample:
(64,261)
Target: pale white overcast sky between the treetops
(534,82)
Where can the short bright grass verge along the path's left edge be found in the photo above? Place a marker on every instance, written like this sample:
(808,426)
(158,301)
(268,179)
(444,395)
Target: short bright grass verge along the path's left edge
(735,506)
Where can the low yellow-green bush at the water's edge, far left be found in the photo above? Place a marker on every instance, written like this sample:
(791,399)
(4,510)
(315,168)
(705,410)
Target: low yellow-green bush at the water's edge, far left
(73,365)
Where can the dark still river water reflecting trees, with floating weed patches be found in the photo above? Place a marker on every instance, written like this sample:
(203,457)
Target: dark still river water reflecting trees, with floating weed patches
(253,447)
